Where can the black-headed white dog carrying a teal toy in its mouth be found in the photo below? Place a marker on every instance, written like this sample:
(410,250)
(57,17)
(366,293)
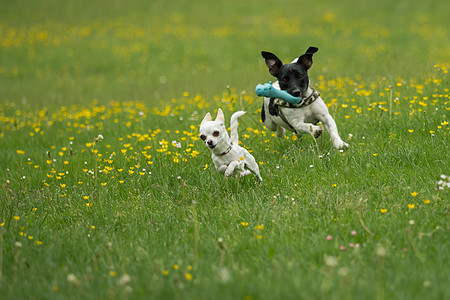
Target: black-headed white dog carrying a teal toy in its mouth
(301,118)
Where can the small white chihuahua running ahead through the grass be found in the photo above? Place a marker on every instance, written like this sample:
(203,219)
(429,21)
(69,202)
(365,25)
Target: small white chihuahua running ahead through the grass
(228,157)
